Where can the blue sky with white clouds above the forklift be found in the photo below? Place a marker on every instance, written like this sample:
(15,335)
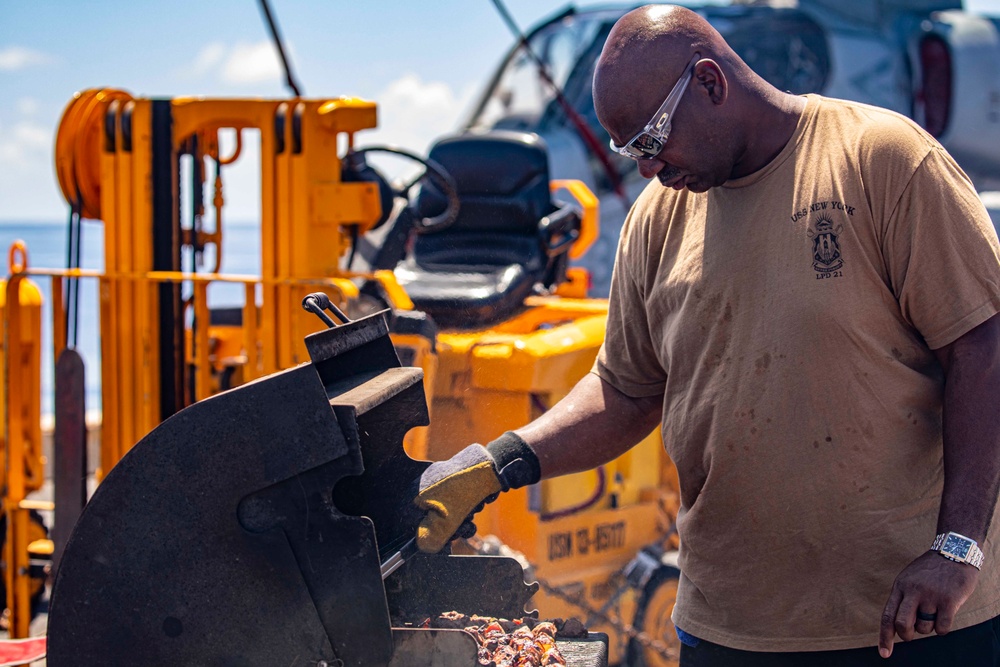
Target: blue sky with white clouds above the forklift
(422,61)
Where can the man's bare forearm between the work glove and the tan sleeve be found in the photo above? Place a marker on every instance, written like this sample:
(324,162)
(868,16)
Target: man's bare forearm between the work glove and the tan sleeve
(592,425)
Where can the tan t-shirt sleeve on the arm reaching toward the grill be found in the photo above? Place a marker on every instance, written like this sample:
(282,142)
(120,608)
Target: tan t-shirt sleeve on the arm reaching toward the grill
(627,360)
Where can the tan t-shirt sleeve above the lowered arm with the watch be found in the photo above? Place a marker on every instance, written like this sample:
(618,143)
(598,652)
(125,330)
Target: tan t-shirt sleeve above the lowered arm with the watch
(942,253)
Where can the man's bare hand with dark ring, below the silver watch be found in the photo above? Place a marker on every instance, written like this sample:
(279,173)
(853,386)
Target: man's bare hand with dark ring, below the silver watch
(930,585)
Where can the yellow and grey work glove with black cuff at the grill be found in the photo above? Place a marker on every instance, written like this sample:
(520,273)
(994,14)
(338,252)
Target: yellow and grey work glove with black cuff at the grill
(452,491)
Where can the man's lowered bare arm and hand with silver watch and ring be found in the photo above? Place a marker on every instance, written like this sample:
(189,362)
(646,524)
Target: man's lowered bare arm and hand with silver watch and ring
(933,584)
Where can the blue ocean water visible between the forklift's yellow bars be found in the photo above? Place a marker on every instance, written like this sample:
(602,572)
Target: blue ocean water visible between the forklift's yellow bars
(46,243)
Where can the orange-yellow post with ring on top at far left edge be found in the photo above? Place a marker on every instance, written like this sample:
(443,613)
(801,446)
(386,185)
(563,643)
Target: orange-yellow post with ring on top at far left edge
(22,328)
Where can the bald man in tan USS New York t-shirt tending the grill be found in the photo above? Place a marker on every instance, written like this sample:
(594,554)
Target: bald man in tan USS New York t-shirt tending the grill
(807,299)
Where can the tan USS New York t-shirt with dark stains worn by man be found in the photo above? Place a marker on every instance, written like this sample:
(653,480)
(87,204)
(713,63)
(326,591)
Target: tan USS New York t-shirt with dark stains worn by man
(788,318)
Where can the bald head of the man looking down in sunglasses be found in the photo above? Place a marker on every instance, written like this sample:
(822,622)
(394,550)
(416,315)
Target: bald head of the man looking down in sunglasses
(732,119)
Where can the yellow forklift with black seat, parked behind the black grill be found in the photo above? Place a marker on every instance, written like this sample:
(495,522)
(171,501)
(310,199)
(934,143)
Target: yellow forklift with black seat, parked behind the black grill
(475,272)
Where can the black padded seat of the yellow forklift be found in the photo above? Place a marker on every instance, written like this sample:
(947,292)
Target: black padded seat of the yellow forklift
(510,238)
